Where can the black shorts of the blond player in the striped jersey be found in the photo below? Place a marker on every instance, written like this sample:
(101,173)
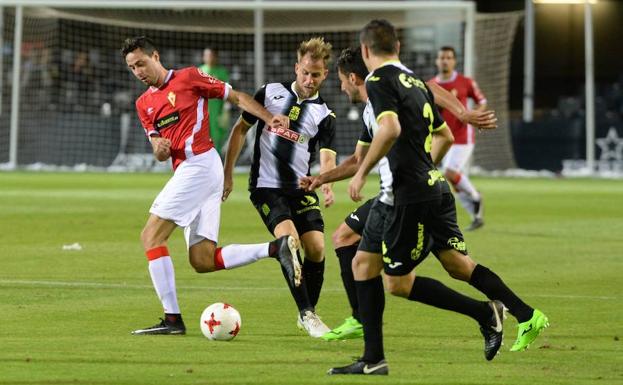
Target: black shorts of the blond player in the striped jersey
(277,205)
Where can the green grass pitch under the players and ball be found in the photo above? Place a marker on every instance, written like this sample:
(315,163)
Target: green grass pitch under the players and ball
(66,315)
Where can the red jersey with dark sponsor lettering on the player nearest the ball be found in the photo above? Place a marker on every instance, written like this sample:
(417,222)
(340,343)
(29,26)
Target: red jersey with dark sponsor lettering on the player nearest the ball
(178,111)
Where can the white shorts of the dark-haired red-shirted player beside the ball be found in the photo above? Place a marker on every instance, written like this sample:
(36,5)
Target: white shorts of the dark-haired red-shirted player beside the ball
(192,197)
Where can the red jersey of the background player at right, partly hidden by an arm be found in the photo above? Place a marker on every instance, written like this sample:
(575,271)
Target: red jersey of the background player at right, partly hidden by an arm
(462,87)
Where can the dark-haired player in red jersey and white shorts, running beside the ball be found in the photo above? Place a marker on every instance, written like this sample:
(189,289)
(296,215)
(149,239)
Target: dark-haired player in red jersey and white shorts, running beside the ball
(174,113)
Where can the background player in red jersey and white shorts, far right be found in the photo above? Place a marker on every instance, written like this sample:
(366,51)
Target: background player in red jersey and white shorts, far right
(457,157)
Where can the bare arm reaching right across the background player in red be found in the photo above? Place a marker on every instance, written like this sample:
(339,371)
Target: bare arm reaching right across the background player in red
(478,117)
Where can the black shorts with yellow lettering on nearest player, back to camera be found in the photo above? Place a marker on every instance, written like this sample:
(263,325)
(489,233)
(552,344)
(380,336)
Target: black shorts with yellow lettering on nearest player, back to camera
(414,230)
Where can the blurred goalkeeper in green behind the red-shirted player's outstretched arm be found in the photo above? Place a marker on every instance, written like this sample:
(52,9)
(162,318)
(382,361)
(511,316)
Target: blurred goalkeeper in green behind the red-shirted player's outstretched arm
(218,109)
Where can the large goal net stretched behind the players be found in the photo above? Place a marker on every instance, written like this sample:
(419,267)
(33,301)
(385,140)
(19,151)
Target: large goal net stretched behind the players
(76,96)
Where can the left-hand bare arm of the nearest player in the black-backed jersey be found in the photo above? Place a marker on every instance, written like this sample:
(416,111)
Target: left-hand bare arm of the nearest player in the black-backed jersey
(388,132)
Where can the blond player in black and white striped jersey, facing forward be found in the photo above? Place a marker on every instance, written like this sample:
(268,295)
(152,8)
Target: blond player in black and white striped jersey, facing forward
(281,157)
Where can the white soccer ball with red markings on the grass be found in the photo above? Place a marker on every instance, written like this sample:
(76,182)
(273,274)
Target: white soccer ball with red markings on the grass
(220,322)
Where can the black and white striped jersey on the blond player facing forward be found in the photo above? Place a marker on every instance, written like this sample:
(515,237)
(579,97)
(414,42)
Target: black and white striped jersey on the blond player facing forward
(282,156)
